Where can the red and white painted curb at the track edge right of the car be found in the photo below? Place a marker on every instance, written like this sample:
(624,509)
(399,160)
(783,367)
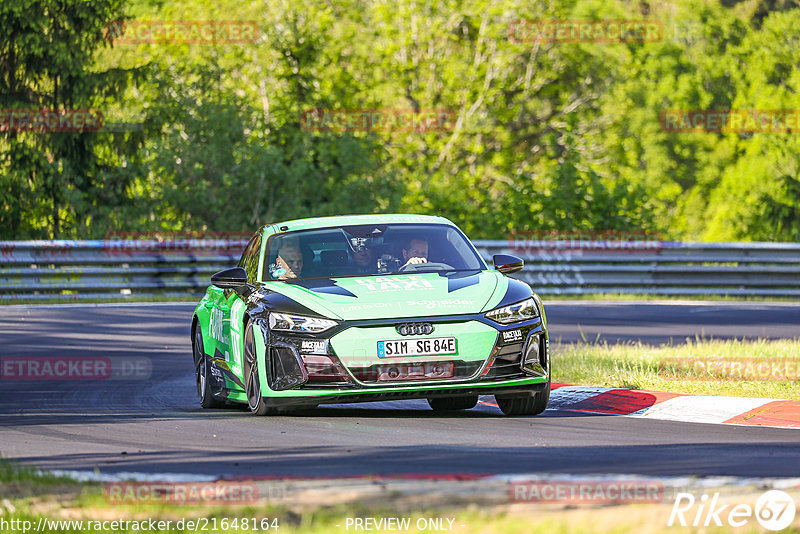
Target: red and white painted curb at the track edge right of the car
(676,406)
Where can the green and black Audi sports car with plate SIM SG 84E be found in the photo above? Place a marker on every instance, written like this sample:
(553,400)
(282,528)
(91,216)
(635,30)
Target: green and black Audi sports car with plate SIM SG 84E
(370,308)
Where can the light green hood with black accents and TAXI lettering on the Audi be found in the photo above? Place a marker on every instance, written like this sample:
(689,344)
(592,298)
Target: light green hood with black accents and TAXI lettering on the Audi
(397,295)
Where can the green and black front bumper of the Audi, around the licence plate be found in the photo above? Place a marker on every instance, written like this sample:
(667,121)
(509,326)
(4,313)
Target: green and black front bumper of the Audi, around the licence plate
(491,358)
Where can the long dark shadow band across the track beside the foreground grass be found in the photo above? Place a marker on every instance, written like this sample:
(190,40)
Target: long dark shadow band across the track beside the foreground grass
(704,459)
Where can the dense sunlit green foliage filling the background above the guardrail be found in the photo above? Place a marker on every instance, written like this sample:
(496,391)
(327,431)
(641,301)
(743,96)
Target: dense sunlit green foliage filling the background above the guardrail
(550,135)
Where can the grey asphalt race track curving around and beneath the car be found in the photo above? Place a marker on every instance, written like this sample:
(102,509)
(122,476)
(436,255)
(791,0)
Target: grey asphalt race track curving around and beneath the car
(155,426)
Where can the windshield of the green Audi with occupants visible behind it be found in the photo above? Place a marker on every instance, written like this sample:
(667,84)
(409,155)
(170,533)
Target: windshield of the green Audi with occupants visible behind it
(365,250)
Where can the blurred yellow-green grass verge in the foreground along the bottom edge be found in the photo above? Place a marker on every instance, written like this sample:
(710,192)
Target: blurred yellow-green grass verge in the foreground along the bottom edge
(311,509)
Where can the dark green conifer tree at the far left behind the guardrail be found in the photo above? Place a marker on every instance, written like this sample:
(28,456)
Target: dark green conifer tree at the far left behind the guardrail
(55,177)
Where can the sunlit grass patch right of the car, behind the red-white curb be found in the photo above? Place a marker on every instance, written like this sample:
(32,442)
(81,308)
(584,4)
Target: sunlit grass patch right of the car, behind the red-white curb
(675,368)
